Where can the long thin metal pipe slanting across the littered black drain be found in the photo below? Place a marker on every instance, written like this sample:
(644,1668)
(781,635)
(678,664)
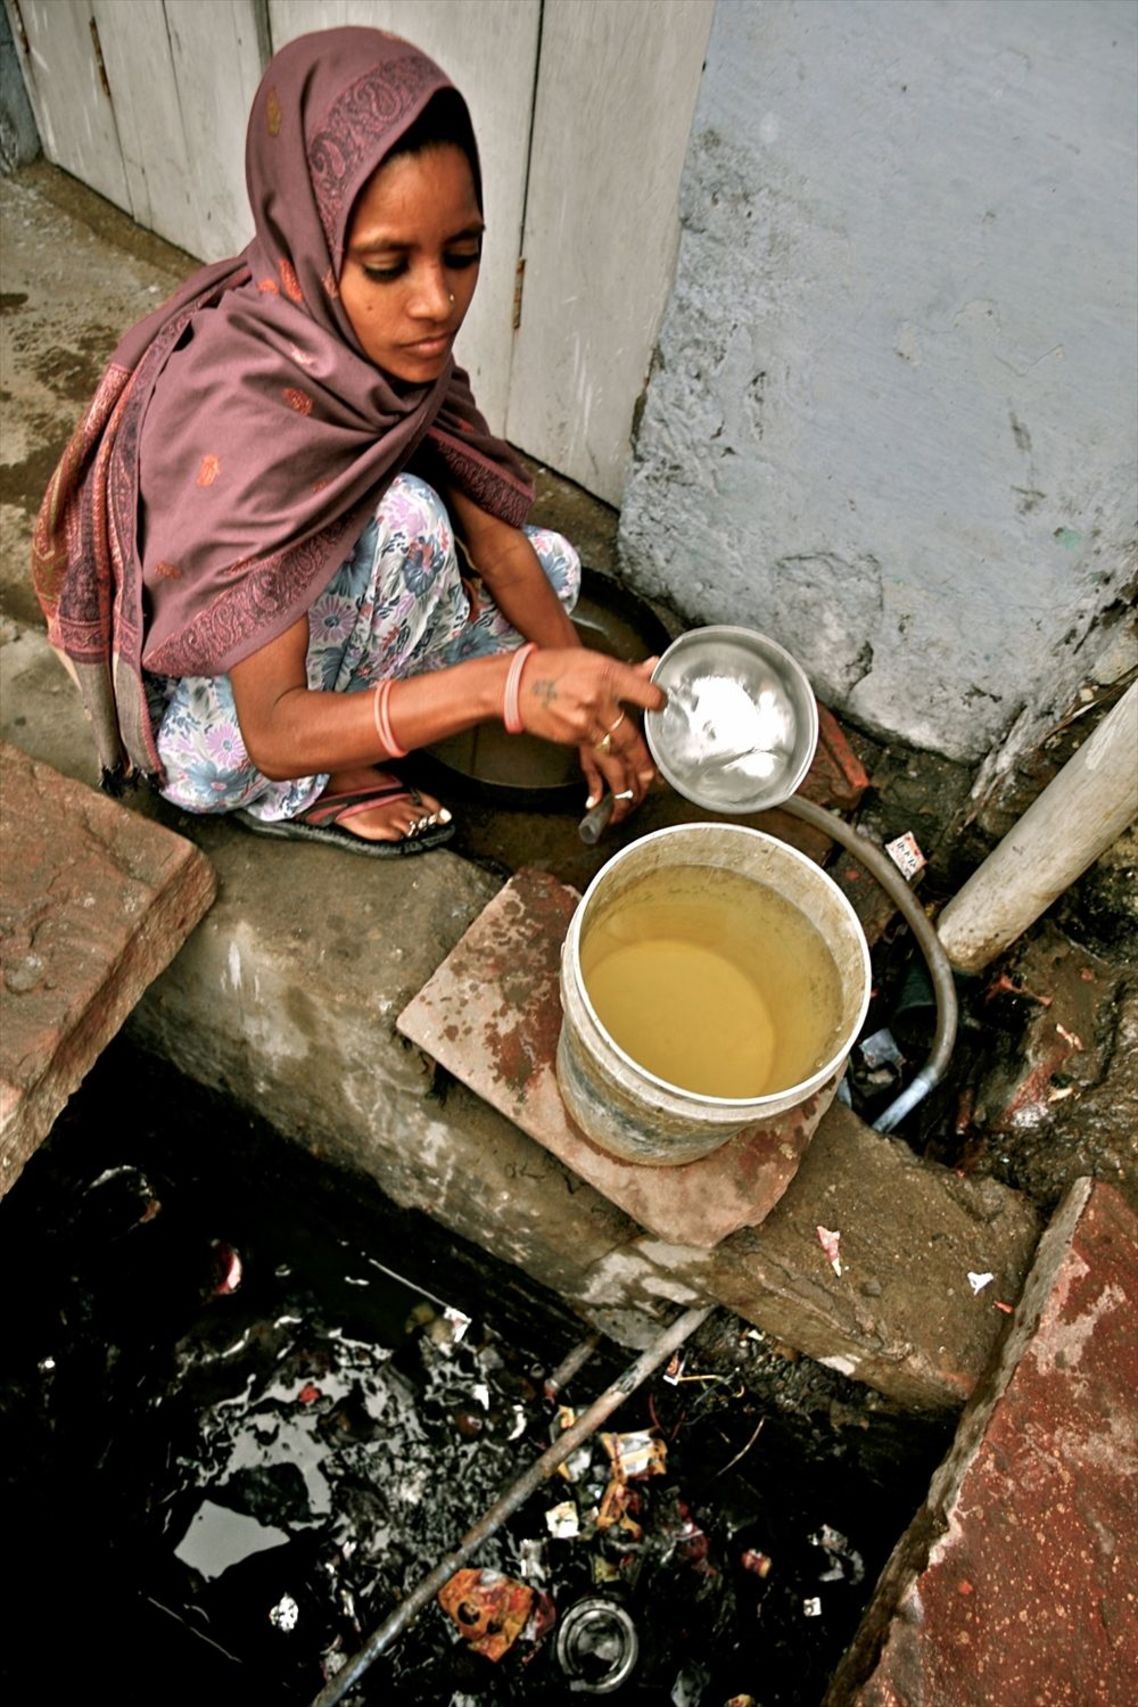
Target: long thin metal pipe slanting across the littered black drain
(509,1503)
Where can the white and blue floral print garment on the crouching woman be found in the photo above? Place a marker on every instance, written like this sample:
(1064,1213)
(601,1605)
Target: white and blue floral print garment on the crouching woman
(397,607)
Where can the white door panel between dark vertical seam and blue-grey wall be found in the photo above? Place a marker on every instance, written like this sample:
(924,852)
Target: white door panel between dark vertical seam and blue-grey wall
(617,91)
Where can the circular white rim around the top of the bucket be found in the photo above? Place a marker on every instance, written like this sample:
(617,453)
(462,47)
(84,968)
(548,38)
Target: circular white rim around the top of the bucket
(799,1092)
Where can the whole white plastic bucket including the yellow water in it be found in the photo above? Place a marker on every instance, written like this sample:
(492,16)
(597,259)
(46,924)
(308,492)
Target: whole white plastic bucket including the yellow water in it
(702,962)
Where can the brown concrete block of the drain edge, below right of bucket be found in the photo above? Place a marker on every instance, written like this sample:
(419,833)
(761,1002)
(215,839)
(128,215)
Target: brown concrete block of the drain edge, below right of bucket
(902,1315)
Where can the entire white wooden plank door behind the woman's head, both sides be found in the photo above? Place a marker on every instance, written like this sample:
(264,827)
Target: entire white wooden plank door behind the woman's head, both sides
(583,112)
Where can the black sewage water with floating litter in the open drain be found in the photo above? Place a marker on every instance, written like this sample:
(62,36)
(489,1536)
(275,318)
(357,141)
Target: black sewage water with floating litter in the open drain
(248,1404)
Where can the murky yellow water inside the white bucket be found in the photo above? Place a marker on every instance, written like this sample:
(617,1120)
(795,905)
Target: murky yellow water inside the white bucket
(712,982)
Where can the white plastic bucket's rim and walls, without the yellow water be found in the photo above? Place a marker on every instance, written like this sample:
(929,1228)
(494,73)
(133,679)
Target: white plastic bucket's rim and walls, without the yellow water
(618,1104)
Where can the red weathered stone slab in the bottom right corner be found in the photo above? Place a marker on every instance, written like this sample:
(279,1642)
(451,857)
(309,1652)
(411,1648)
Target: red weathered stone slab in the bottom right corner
(1016,1583)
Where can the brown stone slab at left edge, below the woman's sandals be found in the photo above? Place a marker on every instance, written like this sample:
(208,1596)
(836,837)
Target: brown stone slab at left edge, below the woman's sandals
(95,904)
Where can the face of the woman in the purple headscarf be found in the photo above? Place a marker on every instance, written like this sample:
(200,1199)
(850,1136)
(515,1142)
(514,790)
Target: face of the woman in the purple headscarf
(412,262)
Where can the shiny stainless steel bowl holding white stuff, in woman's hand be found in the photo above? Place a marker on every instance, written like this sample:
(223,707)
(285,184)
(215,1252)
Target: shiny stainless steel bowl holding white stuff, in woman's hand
(740,728)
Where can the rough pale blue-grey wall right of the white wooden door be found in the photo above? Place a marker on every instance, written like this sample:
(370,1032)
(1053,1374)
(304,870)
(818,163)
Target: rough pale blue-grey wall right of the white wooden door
(893,412)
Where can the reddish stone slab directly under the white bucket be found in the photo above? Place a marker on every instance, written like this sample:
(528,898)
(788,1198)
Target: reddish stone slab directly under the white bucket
(492,1017)
